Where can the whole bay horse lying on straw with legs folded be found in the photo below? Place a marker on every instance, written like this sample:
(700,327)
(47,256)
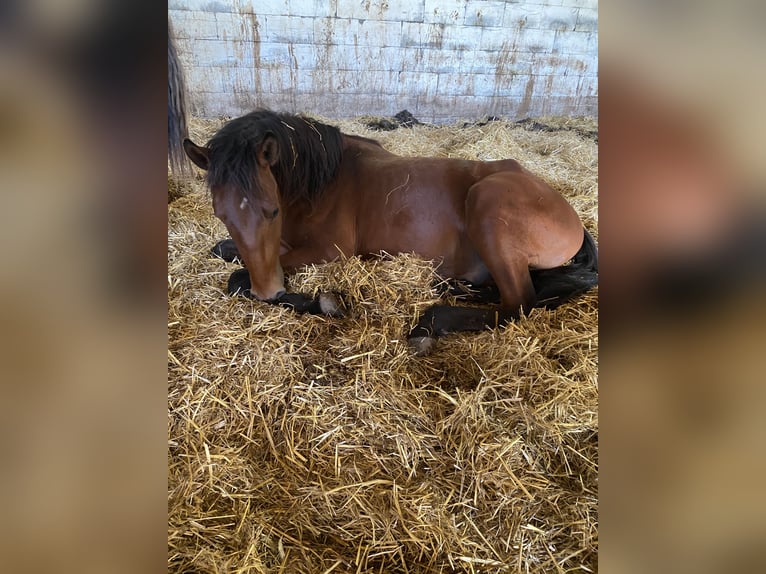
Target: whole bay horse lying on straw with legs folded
(293,191)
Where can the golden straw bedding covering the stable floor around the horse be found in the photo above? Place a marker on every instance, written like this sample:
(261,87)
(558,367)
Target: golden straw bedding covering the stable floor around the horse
(310,444)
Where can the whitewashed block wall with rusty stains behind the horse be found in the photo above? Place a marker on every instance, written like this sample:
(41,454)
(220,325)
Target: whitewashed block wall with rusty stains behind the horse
(442,60)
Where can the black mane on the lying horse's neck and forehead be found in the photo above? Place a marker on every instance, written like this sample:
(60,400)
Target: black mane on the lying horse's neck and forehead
(310,153)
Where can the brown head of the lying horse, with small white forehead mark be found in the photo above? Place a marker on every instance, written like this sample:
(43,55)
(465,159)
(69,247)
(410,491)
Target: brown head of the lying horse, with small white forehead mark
(246,198)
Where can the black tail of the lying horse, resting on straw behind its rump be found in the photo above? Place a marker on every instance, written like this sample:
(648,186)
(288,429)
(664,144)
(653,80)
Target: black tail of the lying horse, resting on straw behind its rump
(558,285)
